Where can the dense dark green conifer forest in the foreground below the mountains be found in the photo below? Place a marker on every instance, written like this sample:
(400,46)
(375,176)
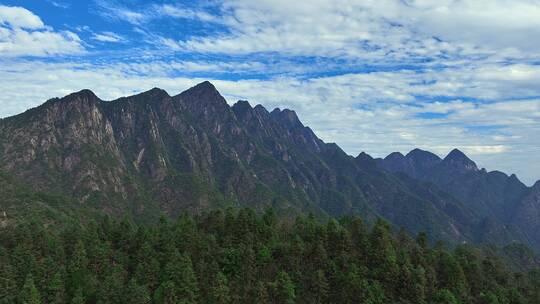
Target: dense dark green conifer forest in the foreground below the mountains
(228,256)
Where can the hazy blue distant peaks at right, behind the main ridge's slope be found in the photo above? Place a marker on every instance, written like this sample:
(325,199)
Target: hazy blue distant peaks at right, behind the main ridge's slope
(501,200)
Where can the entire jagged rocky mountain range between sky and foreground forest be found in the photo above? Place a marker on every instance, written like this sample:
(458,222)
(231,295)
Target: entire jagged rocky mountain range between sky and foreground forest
(152,153)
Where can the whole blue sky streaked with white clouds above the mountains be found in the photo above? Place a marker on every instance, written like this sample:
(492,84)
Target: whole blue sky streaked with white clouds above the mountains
(370,75)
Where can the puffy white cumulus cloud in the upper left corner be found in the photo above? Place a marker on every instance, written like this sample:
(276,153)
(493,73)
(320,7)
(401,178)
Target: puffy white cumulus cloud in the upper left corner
(22,33)
